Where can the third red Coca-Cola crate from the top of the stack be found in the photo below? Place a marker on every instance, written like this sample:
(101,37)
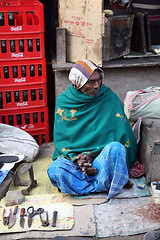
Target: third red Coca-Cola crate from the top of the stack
(22,72)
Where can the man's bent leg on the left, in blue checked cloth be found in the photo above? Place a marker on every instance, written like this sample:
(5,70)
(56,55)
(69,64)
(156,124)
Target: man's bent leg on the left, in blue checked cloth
(67,176)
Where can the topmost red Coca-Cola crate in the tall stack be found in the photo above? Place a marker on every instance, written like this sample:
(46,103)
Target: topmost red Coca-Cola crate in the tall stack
(22,16)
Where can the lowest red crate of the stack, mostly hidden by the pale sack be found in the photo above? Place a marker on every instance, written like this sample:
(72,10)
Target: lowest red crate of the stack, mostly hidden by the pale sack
(41,136)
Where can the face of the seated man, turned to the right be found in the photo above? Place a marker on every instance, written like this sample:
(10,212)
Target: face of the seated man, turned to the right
(92,86)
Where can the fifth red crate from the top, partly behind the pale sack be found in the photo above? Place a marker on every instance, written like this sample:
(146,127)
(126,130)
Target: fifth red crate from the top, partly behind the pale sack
(27,119)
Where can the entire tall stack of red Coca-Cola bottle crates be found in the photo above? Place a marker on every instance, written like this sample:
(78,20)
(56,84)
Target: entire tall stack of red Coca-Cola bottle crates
(23,80)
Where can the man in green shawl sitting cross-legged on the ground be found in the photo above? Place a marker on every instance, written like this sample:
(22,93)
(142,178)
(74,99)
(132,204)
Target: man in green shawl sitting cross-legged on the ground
(94,142)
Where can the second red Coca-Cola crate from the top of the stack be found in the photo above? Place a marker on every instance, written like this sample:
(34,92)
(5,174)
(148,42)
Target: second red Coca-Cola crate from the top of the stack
(22,46)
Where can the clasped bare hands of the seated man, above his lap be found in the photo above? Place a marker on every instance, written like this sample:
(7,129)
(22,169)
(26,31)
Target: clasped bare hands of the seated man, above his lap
(85,162)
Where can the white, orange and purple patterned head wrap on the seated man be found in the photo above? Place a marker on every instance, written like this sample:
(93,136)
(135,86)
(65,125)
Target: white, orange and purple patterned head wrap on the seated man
(81,72)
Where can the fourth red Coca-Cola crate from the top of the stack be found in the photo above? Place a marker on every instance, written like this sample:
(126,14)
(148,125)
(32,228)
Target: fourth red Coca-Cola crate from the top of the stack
(23,96)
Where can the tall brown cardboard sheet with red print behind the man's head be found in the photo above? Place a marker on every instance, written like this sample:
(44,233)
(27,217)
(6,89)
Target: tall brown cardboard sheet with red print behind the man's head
(84,23)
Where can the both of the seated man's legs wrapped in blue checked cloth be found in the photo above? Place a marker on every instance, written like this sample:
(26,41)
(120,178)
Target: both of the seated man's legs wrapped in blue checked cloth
(112,173)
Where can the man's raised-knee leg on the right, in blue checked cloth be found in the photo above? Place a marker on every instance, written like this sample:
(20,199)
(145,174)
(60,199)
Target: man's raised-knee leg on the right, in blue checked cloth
(112,169)
